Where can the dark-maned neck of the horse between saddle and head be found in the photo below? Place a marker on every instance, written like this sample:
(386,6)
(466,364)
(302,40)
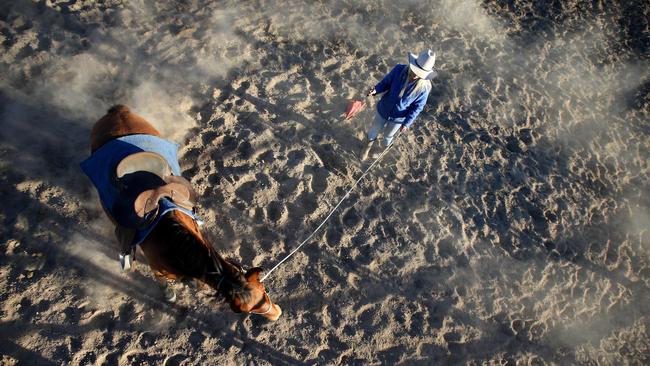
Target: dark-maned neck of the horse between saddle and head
(191,257)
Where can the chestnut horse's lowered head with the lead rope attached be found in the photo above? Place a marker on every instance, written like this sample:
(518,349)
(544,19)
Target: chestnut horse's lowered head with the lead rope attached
(251,297)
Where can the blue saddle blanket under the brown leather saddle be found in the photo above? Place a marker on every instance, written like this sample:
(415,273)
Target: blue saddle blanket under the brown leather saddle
(100,168)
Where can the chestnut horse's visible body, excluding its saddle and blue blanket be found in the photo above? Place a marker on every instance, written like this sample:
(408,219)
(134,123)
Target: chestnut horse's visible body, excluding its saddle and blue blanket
(175,247)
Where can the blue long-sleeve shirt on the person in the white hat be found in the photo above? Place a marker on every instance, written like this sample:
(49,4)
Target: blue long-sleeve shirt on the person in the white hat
(404,109)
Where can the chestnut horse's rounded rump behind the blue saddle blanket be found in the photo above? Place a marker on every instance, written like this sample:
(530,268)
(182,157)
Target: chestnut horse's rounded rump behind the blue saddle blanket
(119,121)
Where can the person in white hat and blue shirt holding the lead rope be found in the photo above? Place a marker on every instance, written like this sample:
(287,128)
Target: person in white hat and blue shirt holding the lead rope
(406,89)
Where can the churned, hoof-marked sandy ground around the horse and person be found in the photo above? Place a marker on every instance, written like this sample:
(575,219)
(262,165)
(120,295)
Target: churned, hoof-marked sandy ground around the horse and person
(508,226)
